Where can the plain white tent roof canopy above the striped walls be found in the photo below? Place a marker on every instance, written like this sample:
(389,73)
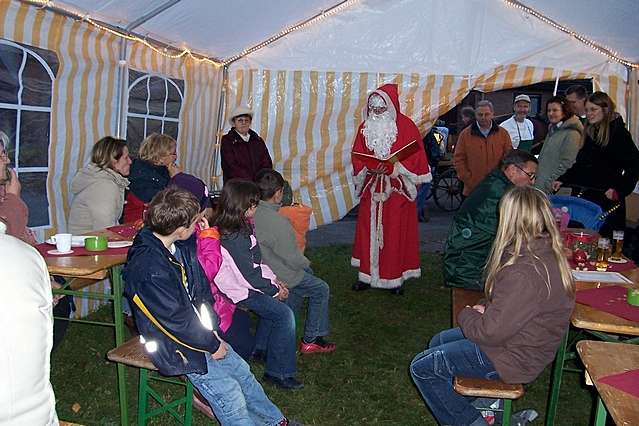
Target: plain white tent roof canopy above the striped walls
(222,29)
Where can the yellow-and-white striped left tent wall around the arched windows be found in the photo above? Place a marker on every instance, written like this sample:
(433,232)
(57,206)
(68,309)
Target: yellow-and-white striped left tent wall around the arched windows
(84,100)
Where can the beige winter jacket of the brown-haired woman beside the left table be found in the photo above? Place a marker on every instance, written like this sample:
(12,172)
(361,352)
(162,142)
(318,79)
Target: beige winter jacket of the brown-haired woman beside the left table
(98,199)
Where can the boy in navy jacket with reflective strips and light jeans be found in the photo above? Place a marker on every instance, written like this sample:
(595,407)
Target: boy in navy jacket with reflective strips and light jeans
(172,305)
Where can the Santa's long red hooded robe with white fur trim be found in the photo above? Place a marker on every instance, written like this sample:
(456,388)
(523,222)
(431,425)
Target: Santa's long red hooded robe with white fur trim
(386,247)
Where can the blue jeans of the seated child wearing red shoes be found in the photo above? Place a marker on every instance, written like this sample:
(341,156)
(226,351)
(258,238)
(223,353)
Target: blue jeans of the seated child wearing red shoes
(318,293)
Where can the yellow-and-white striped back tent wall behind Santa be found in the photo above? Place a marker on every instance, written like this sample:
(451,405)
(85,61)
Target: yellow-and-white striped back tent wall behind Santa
(308,118)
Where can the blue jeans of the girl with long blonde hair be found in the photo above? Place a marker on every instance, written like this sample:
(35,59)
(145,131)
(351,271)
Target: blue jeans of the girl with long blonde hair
(450,354)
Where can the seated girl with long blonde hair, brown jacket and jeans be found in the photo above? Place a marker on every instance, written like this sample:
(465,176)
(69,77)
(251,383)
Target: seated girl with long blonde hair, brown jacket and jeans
(514,335)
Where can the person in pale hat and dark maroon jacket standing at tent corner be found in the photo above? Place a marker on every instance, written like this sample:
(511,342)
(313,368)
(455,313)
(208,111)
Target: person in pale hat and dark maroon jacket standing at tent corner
(243,151)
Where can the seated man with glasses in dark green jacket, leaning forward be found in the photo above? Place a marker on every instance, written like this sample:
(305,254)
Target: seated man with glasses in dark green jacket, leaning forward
(475,225)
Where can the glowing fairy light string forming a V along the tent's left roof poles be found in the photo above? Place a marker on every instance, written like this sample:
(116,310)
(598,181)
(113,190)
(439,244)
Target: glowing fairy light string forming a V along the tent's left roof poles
(186,52)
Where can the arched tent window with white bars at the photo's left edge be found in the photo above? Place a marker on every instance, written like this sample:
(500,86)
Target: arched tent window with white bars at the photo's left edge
(26,79)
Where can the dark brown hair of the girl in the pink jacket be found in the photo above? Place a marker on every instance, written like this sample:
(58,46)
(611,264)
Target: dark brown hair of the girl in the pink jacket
(238,195)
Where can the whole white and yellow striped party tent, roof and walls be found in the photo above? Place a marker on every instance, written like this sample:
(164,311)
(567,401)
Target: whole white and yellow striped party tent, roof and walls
(304,68)
